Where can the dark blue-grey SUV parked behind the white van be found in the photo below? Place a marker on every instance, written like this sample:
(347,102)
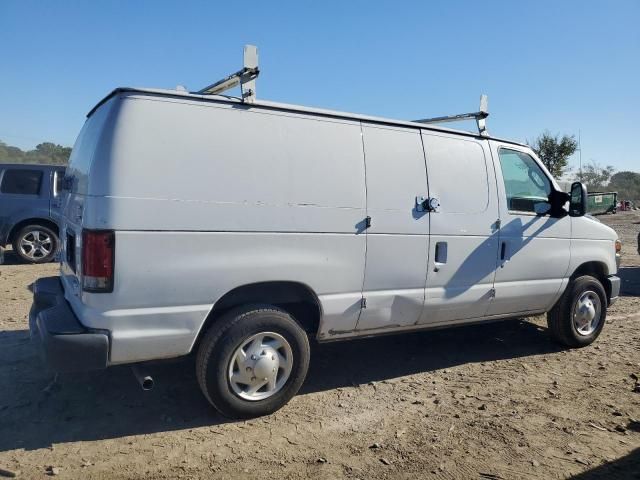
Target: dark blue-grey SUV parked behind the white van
(29,203)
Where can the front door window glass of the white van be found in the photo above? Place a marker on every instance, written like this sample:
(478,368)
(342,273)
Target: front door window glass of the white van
(524,181)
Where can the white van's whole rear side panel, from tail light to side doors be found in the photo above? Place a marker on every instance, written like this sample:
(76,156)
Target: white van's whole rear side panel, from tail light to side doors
(205,198)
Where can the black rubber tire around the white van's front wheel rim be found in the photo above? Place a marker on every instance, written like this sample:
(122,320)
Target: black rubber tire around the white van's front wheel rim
(561,318)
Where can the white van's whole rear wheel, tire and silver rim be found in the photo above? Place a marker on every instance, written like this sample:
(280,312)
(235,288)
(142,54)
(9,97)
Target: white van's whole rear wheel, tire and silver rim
(252,361)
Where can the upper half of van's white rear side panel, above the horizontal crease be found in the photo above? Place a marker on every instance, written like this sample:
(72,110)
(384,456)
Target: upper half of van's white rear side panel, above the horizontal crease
(248,169)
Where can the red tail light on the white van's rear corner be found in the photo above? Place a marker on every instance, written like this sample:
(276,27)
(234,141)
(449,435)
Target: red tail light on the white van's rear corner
(98,254)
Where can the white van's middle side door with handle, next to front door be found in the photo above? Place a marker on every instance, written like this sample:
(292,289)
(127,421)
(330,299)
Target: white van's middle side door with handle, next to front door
(464,228)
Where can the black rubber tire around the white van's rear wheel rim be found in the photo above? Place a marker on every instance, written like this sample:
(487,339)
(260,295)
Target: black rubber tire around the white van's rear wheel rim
(223,339)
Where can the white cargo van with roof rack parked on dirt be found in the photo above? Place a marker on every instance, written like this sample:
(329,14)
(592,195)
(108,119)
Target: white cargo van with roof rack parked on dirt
(235,229)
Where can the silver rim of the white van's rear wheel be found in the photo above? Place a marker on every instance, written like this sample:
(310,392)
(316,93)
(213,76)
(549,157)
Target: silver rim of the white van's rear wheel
(260,366)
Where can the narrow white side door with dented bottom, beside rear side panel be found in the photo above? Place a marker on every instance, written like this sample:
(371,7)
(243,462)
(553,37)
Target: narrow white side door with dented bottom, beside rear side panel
(397,240)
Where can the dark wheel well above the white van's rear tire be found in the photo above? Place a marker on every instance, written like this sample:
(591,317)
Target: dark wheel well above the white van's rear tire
(295,298)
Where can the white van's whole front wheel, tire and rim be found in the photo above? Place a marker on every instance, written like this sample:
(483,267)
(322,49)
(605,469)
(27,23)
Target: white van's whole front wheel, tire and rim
(579,316)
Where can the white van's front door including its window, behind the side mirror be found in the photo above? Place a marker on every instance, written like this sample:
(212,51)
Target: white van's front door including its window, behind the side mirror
(534,248)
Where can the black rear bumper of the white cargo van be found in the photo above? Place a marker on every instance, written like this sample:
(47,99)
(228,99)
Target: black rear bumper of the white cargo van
(65,344)
